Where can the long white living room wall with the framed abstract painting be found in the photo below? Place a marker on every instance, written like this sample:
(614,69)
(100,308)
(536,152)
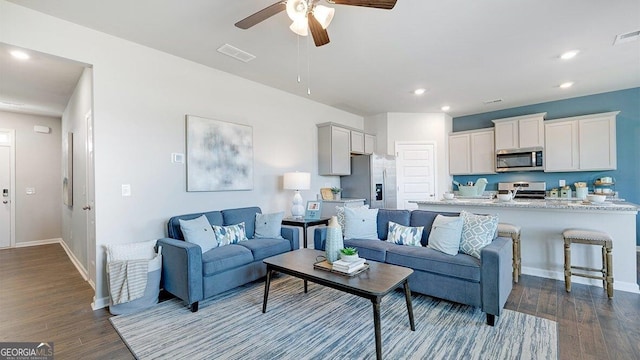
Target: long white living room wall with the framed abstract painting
(140,98)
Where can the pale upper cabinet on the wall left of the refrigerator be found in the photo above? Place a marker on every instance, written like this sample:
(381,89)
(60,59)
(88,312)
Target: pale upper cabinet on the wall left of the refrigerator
(334,150)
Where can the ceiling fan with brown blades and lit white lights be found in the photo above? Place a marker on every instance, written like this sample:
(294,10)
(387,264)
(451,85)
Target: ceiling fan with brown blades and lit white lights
(307,15)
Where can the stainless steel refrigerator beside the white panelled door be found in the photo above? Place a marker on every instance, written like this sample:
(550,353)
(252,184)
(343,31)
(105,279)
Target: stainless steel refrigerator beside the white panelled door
(373,178)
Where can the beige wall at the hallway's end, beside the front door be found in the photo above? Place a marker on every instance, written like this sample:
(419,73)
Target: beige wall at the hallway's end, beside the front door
(37,166)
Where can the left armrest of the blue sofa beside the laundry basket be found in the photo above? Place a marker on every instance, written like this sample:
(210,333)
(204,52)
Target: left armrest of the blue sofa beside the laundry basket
(182,269)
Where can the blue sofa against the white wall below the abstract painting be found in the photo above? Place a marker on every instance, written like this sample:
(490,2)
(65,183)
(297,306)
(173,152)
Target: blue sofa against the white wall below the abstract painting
(193,276)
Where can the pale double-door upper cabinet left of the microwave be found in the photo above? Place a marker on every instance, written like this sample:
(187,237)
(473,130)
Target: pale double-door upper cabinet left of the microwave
(472,152)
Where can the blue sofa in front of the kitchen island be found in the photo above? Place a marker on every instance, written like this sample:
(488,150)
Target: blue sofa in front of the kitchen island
(484,283)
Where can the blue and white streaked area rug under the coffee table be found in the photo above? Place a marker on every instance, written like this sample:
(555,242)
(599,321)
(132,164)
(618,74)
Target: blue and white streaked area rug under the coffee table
(328,324)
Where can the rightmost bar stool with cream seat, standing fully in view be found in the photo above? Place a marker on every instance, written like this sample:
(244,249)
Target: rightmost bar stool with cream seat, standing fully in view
(589,237)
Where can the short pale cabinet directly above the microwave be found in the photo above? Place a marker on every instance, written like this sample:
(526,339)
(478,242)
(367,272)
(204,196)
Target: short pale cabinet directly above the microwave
(519,132)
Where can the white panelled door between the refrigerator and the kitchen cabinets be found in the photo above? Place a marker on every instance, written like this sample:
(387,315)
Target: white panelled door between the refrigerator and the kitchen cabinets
(416,173)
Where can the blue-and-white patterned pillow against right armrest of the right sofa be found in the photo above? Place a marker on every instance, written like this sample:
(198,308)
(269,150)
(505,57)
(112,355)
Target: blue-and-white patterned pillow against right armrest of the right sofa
(477,232)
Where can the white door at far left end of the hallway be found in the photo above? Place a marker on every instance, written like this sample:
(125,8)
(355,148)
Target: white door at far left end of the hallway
(7,220)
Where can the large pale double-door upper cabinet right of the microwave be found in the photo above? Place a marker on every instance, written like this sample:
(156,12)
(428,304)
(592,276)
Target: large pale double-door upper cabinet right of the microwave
(581,143)
